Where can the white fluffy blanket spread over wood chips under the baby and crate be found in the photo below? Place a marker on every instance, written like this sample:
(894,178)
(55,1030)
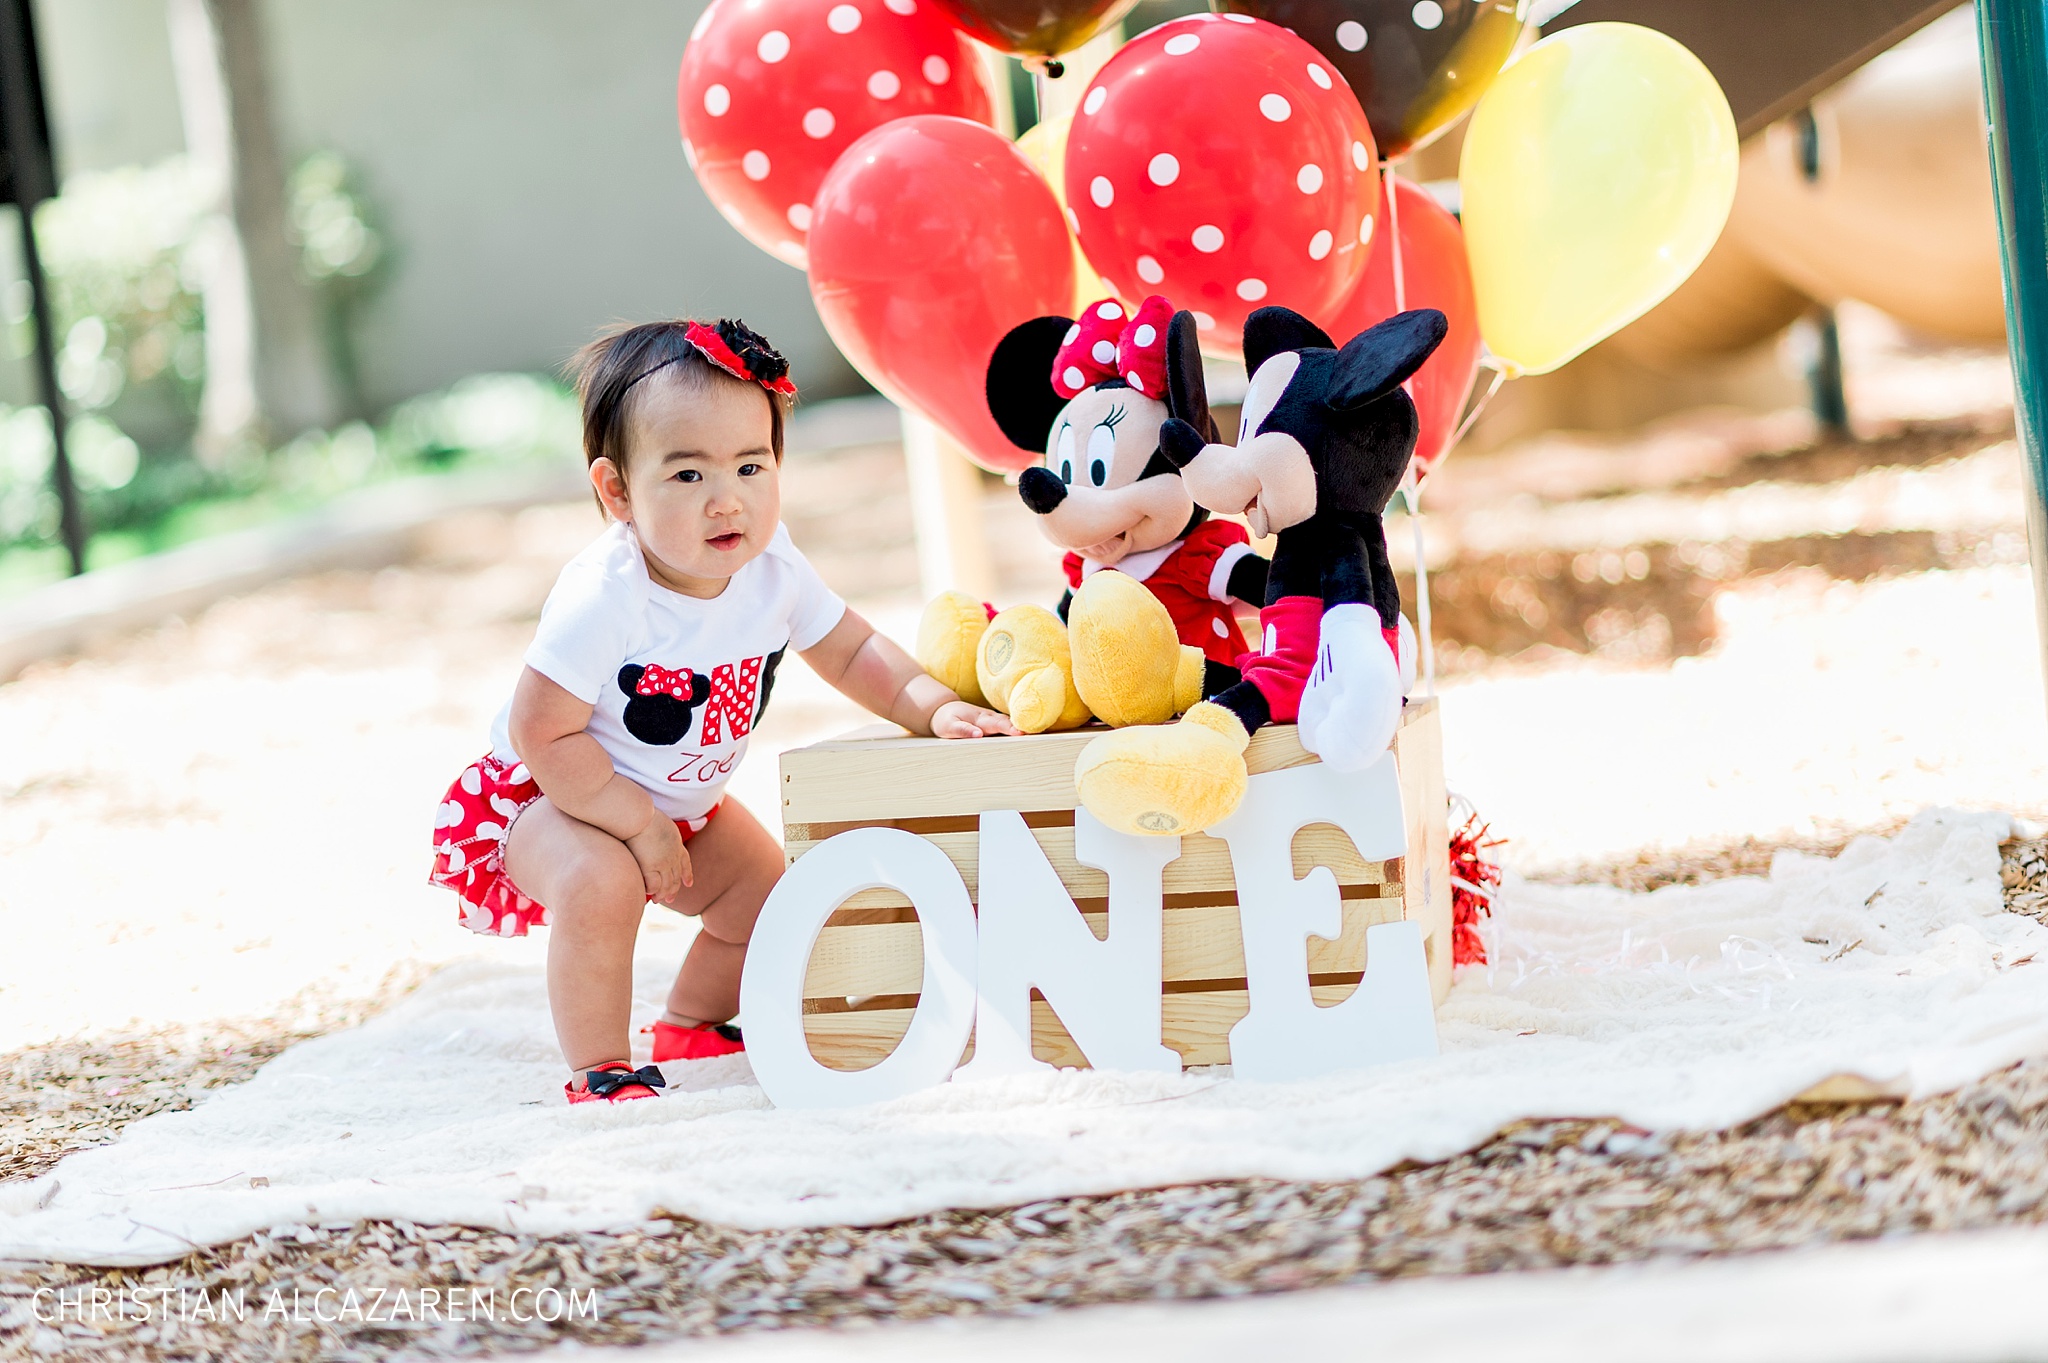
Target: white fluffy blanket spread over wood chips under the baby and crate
(1687,1008)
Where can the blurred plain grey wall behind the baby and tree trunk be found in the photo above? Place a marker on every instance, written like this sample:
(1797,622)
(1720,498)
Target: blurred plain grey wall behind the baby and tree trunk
(523,159)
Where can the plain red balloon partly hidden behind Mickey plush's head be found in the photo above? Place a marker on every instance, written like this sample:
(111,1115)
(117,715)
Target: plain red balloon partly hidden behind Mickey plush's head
(1437,275)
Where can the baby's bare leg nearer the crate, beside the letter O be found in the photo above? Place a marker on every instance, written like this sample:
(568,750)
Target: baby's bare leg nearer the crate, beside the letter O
(736,863)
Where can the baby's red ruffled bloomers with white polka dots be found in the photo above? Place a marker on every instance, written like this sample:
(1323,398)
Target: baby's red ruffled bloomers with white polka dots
(470,846)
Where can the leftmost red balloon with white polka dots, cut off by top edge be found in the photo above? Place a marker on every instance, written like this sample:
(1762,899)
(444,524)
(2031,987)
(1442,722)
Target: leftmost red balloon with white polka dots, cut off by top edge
(773,91)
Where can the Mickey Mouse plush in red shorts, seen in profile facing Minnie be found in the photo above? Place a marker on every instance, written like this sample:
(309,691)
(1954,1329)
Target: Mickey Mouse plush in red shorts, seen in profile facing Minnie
(1324,443)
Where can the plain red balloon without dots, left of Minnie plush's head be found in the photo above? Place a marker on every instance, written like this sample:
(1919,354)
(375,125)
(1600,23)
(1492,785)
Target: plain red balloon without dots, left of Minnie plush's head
(931,240)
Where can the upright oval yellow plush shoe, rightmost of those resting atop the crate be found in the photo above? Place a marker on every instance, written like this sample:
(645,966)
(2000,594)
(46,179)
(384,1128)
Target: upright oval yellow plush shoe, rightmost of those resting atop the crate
(1127,658)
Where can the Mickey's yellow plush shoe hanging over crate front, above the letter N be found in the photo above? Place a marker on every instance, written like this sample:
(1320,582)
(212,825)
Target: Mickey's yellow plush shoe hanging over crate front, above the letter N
(1166,779)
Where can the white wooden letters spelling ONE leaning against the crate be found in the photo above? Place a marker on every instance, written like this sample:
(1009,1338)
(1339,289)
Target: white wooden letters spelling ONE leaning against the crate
(1107,992)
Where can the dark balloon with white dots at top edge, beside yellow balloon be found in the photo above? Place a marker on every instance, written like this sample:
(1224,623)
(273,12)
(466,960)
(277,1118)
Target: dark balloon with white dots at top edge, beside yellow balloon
(1414,64)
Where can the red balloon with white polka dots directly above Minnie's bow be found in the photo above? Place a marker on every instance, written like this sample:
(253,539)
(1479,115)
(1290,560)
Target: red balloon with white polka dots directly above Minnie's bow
(1224,163)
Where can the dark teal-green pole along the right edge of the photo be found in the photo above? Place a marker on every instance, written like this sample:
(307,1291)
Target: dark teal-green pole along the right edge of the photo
(2014,36)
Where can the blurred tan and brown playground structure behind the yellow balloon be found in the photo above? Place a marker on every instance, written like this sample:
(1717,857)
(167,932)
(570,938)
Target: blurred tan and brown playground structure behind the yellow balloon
(1881,193)
